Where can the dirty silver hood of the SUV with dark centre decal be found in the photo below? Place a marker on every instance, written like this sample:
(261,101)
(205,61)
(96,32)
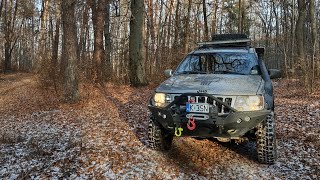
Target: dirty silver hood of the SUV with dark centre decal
(217,84)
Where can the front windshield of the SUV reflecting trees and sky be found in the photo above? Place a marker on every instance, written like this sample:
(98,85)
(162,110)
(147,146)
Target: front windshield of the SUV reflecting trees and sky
(219,63)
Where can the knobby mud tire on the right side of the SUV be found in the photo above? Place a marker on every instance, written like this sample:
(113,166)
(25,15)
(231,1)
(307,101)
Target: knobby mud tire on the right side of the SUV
(266,140)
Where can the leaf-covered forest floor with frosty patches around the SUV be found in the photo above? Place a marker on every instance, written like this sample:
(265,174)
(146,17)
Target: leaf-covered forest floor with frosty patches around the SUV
(105,137)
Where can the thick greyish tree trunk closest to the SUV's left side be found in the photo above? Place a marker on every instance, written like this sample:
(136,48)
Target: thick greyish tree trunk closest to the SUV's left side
(136,47)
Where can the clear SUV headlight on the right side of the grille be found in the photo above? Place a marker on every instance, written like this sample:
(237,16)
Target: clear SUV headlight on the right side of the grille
(249,103)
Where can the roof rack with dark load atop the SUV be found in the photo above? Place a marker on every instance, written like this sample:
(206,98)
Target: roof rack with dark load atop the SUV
(227,40)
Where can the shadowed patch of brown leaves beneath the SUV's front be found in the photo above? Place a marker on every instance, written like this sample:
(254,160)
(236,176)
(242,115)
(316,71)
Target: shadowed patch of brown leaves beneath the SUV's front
(193,157)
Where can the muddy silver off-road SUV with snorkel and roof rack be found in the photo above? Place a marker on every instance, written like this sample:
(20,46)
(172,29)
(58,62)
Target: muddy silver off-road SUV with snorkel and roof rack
(221,90)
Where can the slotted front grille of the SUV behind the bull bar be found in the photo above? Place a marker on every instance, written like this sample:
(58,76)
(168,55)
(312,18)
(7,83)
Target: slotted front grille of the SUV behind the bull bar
(204,99)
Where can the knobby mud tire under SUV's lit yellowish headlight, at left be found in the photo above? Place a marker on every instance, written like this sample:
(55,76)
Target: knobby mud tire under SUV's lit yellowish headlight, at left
(158,139)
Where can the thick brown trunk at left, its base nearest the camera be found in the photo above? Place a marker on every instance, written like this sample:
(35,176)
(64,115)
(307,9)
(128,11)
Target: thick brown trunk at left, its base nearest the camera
(70,49)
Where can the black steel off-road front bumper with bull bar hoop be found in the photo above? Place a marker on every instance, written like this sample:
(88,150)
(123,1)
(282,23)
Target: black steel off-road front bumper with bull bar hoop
(234,124)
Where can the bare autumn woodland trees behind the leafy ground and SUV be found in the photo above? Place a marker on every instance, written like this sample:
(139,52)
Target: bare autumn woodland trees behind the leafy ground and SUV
(132,42)
